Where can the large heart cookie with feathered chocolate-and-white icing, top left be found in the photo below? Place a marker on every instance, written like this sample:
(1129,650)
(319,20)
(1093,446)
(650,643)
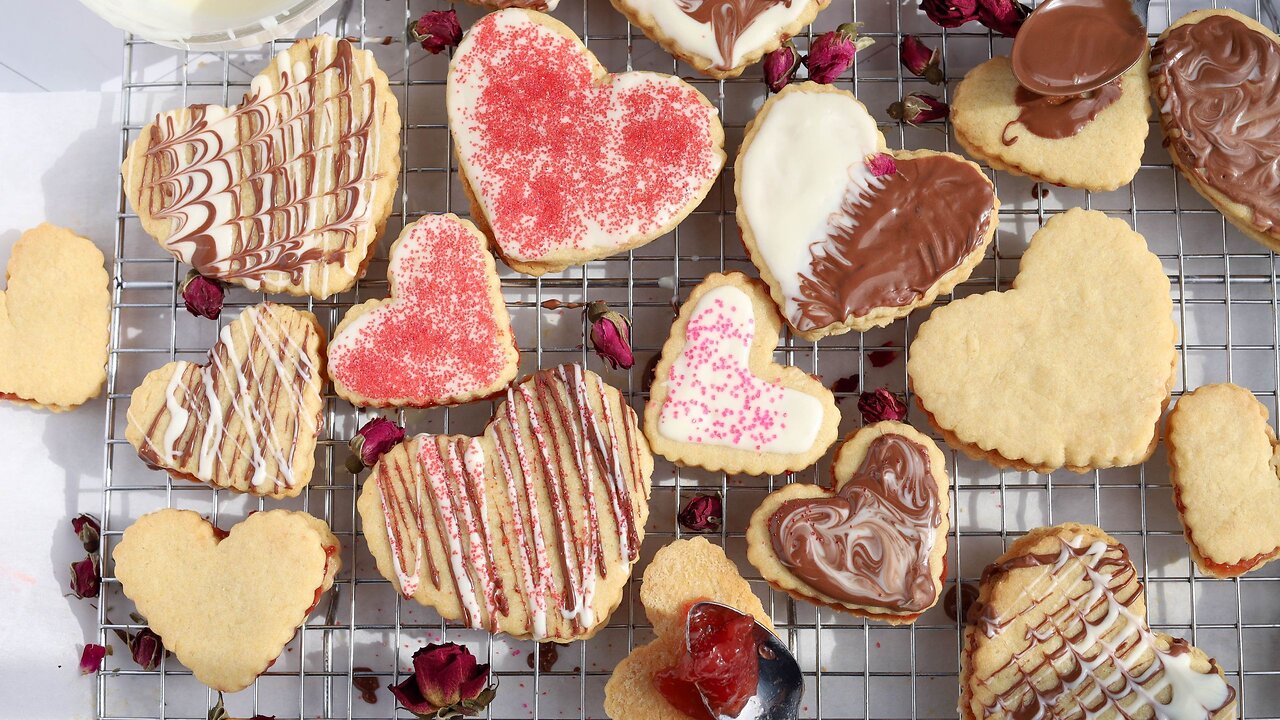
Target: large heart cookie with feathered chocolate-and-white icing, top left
(285,193)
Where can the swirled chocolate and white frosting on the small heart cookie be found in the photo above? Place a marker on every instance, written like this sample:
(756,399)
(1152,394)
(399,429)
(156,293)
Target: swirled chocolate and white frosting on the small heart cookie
(871,544)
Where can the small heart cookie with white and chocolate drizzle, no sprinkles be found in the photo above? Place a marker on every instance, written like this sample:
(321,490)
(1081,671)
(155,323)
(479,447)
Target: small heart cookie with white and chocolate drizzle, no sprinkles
(249,418)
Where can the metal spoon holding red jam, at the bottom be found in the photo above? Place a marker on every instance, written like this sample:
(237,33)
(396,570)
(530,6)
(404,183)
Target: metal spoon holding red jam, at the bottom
(780,685)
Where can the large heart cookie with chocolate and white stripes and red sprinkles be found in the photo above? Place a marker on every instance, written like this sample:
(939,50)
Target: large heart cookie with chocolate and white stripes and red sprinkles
(529,530)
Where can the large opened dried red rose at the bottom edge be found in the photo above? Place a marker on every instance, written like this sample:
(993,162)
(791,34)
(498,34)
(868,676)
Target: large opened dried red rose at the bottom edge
(446,677)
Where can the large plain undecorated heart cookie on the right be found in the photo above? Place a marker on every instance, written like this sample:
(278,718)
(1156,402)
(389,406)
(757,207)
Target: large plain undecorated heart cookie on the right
(1072,367)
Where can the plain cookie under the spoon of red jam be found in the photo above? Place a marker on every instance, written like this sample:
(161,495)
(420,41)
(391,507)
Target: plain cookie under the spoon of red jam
(680,575)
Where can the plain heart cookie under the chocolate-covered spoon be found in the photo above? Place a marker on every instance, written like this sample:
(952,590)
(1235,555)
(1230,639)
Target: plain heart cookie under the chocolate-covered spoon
(1092,143)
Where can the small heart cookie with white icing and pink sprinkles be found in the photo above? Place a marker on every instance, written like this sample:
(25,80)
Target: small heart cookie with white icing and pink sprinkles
(719,400)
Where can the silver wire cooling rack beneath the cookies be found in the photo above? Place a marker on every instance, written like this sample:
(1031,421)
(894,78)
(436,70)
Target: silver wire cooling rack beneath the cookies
(1227,304)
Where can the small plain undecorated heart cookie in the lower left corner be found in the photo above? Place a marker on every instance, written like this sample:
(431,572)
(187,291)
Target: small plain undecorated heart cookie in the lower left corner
(227,603)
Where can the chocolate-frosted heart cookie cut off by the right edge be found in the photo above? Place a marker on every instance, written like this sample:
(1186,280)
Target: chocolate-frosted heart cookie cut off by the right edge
(1217,81)
